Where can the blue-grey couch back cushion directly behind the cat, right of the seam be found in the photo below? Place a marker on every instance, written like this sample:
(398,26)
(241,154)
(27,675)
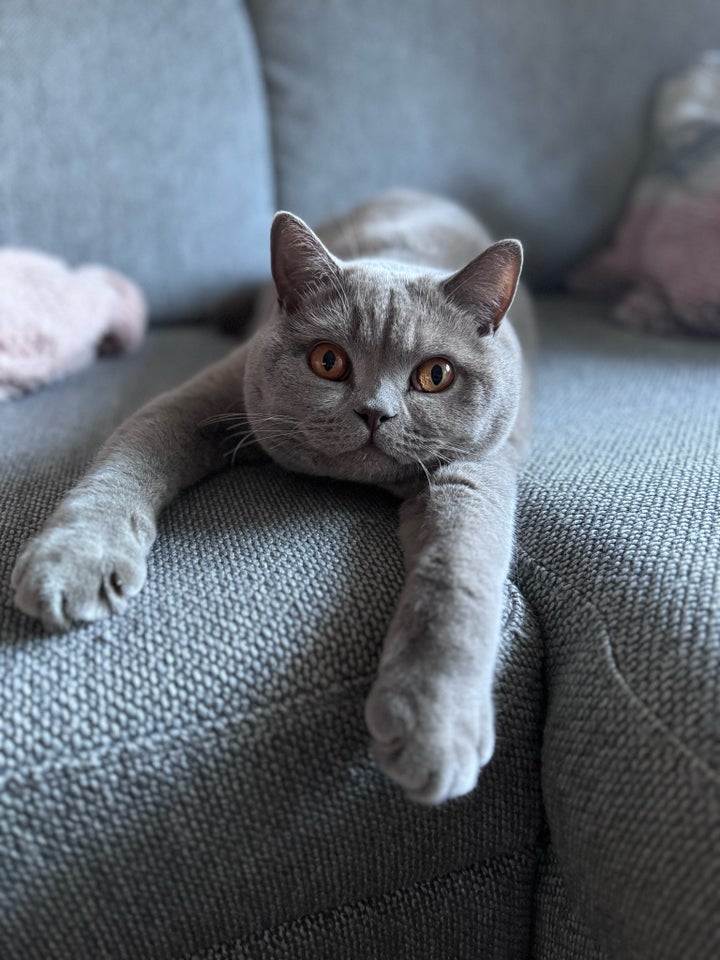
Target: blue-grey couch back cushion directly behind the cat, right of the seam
(534,114)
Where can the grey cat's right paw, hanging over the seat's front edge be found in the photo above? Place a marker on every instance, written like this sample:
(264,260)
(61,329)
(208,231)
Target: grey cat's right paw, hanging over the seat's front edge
(432,732)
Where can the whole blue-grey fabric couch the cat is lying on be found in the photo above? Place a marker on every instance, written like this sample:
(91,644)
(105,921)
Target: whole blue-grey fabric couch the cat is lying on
(193,779)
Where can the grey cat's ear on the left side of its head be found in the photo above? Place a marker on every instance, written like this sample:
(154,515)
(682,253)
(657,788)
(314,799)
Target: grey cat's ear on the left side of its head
(300,262)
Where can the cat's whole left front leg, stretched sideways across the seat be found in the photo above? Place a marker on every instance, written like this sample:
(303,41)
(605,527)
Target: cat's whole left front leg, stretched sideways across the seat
(90,557)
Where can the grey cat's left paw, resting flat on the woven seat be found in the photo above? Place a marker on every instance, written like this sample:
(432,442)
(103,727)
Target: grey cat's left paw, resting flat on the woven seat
(78,572)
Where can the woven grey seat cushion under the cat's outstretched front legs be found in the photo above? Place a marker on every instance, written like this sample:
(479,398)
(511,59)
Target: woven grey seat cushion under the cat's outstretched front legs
(197,772)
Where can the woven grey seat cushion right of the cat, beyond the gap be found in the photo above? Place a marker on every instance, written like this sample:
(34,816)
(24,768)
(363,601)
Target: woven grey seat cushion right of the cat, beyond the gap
(619,554)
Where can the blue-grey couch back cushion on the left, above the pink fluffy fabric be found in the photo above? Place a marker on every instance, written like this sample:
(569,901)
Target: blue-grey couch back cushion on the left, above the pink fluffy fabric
(135,134)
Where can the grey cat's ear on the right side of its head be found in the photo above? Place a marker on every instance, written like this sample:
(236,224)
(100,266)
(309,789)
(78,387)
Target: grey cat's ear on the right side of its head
(485,288)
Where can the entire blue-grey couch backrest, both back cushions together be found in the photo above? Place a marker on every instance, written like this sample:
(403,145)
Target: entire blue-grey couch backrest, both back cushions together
(138,133)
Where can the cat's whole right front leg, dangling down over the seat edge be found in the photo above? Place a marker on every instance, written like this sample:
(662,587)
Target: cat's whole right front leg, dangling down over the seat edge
(430,711)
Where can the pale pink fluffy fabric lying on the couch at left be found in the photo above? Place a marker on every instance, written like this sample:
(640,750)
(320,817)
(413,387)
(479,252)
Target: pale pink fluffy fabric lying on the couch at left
(54,320)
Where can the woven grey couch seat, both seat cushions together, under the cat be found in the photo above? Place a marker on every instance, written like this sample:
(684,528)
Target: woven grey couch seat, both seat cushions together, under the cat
(193,779)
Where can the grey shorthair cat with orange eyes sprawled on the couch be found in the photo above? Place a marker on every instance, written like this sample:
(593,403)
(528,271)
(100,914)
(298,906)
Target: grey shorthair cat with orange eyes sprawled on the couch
(390,361)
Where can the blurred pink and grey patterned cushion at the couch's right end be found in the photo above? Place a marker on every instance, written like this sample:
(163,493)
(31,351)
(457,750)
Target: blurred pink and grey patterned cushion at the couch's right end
(662,270)
